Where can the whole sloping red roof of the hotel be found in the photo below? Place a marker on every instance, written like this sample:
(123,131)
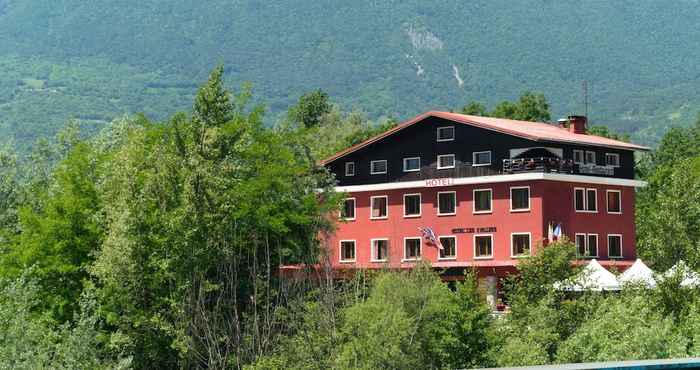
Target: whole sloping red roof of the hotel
(536,131)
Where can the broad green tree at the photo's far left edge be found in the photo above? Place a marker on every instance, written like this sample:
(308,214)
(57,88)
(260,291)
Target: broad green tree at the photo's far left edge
(60,236)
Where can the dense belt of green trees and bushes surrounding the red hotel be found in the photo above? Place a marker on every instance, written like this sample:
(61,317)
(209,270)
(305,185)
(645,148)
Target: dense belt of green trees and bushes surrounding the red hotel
(156,243)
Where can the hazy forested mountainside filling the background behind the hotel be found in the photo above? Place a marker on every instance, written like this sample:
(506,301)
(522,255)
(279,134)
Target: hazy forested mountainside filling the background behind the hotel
(96,60)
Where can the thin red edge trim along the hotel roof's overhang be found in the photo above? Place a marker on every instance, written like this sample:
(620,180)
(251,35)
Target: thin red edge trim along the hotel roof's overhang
(443,115)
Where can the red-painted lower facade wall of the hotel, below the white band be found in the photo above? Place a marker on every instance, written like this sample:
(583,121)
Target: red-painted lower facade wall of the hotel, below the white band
(550,201)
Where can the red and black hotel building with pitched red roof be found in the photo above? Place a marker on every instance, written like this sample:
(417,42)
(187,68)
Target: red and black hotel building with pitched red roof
(489,188)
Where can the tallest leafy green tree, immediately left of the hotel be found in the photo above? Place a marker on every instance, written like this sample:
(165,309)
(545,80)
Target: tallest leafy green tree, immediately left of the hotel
(200,212)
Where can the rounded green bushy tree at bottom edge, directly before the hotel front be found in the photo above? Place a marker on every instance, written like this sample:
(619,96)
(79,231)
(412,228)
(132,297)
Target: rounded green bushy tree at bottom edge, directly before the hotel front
(412,320)
